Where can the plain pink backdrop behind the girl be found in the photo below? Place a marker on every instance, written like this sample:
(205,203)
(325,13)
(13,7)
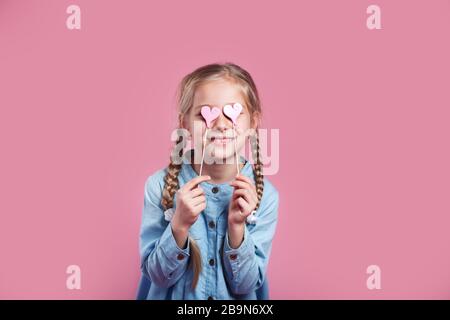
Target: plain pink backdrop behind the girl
(363,116)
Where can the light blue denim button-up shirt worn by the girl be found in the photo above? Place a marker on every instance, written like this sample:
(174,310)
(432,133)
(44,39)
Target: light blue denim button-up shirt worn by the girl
(227,273)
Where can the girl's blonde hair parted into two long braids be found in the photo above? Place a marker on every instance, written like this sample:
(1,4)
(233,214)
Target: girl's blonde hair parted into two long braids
(186,91)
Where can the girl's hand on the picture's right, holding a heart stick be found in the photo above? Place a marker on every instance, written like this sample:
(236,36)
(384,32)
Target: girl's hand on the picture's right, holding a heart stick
(243,201)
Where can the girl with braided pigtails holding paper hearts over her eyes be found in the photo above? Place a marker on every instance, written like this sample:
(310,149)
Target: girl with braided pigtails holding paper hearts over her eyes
(209,236)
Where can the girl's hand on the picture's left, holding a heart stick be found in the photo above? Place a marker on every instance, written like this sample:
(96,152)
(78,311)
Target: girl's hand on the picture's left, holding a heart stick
(191,201)
